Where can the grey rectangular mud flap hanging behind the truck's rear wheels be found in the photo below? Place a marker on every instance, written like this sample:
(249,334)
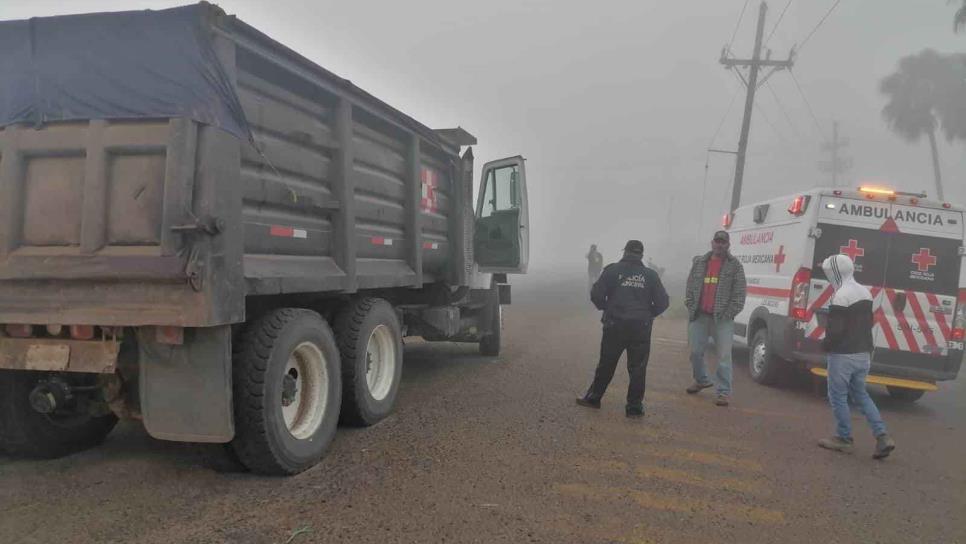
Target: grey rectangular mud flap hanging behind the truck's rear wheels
(186,389)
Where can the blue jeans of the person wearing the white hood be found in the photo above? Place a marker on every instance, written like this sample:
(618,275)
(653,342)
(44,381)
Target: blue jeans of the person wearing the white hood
(846,377)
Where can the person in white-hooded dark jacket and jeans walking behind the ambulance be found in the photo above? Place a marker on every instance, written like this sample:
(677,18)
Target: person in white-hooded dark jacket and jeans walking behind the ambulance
(848,342)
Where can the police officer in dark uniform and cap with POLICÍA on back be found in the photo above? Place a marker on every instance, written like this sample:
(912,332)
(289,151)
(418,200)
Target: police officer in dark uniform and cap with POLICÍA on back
(631,296)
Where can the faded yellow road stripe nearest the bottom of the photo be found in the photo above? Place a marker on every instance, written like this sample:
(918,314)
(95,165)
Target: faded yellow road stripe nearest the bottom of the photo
(648,501)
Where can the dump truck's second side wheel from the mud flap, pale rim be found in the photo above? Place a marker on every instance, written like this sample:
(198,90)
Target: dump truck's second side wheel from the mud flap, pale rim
(370,341)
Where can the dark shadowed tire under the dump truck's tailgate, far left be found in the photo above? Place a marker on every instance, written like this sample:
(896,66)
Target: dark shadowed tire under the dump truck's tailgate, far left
(28,433)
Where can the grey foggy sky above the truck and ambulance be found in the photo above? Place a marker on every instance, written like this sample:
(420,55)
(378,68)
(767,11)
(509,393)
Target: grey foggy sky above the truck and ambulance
(614,103)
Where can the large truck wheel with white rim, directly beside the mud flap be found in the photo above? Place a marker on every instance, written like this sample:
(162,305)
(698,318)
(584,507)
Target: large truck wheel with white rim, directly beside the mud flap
(287,392)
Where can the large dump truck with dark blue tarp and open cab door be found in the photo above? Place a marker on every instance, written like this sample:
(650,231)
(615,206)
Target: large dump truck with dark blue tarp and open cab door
(205,231)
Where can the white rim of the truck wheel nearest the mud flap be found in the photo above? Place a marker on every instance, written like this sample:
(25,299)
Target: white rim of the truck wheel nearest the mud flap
(304,411)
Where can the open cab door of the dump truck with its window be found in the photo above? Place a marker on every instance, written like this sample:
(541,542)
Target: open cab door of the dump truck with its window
(501,239)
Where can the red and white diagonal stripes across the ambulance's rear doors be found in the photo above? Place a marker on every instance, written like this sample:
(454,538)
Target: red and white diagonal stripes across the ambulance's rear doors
(906,330)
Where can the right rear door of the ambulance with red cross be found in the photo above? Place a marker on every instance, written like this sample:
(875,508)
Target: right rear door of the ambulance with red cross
(920,289)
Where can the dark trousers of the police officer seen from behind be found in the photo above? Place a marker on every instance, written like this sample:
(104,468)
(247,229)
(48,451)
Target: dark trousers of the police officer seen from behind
(635,338)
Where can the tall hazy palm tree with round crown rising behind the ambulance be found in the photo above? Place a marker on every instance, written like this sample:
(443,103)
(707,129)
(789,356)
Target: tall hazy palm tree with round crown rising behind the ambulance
(920,92)
